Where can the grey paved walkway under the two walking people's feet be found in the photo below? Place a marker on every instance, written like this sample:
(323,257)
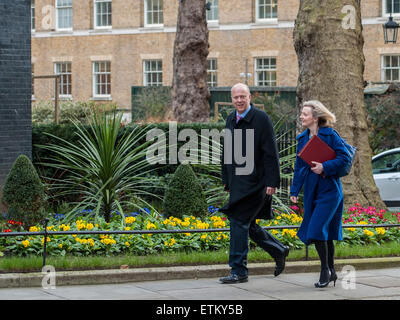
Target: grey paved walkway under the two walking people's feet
(373,284)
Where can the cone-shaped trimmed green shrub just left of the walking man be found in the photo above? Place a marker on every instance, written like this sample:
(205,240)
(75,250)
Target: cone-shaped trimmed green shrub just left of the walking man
(184,195)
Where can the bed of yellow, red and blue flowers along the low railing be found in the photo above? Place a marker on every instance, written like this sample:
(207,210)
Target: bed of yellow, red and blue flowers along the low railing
(142,244)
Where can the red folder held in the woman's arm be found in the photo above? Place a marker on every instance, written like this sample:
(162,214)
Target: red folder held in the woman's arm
(316,150)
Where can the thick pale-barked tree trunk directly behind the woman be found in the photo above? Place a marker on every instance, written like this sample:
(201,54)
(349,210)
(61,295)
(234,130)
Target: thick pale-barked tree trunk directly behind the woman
(331,66)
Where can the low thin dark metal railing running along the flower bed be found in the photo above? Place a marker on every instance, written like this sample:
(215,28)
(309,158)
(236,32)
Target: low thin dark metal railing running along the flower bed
(46,233)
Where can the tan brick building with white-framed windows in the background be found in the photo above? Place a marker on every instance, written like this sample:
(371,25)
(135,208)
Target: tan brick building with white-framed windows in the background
(103,47)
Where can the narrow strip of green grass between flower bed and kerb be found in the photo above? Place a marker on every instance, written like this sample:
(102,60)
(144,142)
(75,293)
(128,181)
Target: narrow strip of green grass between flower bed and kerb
(34,263)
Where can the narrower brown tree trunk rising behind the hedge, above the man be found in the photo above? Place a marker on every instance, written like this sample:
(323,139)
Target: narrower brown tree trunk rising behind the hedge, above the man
(190,93)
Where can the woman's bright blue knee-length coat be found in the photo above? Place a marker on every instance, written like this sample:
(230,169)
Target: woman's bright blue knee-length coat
(323,194)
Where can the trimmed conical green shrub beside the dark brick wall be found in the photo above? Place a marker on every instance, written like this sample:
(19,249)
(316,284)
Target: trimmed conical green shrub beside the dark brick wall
(23,193)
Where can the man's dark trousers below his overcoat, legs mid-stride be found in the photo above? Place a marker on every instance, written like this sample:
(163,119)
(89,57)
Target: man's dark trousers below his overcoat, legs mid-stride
(240,231)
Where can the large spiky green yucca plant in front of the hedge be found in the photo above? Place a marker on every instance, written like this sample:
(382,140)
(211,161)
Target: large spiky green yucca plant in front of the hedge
(106,170)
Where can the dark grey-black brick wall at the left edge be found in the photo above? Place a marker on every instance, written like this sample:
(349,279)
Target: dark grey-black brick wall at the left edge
(15,83)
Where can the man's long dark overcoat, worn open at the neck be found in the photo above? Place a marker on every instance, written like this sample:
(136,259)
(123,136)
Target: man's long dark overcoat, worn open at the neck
(247,197)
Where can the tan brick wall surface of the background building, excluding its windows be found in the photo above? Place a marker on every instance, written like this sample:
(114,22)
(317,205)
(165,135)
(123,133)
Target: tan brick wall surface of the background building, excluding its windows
(238,37)
